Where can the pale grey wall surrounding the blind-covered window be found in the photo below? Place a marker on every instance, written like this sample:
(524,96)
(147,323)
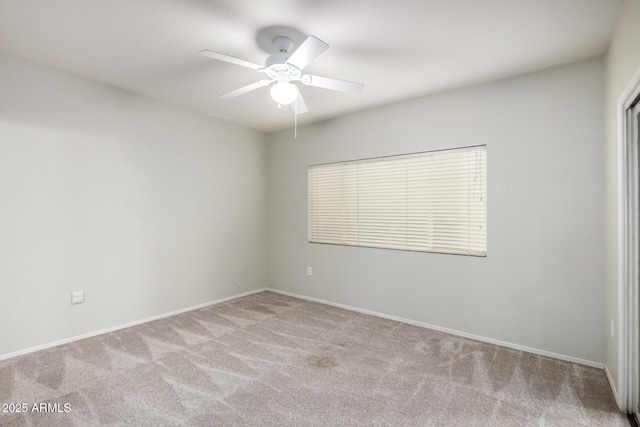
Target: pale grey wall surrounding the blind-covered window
(542,283)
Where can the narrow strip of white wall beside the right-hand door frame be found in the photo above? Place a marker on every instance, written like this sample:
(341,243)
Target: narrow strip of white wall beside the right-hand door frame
(622,62)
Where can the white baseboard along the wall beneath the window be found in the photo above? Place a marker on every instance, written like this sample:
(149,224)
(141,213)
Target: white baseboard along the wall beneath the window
(450,331)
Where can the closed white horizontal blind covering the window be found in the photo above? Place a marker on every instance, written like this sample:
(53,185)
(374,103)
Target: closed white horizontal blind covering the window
(430,202)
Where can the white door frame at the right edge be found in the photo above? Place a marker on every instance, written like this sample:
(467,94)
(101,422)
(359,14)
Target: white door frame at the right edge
(628,253)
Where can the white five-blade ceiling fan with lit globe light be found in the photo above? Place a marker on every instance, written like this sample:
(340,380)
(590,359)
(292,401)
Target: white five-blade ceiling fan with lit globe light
(284,68)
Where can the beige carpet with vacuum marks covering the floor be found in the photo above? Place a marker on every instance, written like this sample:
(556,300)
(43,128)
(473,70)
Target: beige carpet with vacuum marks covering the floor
(273,360)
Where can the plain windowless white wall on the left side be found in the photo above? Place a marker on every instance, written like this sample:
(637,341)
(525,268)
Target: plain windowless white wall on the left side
(145,207)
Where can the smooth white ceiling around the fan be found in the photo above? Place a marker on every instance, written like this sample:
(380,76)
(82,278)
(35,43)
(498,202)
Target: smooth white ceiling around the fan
(398,49)
